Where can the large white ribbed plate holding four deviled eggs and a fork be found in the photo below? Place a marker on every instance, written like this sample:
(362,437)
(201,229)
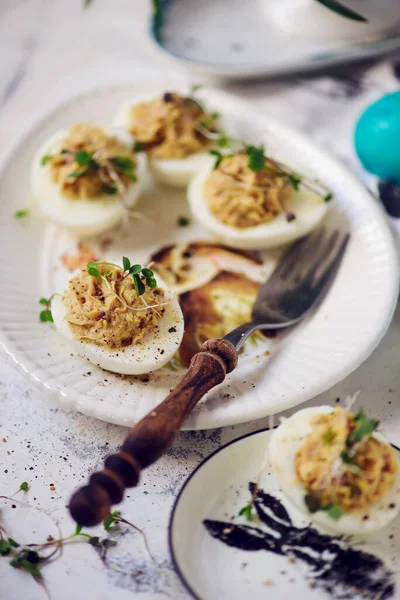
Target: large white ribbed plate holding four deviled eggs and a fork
(311,359)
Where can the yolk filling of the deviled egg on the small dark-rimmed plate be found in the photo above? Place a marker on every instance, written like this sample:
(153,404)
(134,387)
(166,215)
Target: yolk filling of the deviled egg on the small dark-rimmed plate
(339,466)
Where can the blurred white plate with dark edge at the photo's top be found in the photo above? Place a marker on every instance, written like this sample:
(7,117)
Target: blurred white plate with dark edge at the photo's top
(238,40)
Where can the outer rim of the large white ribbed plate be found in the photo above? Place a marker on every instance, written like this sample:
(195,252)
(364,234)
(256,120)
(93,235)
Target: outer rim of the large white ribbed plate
(84,404)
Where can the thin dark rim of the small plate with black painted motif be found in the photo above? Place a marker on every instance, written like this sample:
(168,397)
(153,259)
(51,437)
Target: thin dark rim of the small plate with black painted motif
(174,558)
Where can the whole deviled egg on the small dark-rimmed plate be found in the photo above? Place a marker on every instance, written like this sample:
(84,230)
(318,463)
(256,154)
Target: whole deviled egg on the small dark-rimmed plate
(335,467)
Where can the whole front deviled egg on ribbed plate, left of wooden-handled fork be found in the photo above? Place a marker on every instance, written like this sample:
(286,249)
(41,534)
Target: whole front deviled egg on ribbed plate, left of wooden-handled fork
(121,319)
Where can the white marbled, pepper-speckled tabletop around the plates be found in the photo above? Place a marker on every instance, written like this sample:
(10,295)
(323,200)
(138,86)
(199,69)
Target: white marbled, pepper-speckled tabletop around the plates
(51,49)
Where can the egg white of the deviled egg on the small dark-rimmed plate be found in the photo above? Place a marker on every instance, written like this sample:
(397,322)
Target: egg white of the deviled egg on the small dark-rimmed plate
(285,441)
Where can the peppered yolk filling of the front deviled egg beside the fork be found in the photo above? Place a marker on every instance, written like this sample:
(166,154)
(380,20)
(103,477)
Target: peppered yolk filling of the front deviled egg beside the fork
(110,313)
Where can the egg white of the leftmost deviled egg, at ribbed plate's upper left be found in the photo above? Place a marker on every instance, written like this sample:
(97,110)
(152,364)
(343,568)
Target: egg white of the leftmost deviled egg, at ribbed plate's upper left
(81,216)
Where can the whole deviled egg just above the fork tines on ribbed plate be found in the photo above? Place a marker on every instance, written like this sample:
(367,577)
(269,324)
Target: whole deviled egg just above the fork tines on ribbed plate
(251,202)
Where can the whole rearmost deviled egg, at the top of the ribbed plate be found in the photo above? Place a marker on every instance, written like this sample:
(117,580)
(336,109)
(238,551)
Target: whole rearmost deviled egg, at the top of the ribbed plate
(174,130)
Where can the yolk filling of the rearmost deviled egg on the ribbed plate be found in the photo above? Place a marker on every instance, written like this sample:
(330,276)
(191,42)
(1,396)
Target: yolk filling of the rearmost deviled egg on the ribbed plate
(173,126)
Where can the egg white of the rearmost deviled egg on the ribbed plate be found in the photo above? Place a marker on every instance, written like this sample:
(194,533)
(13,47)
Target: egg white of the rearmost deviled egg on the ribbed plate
(175,172)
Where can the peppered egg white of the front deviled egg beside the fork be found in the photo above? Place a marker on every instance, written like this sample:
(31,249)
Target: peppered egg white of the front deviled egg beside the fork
(152,353)
